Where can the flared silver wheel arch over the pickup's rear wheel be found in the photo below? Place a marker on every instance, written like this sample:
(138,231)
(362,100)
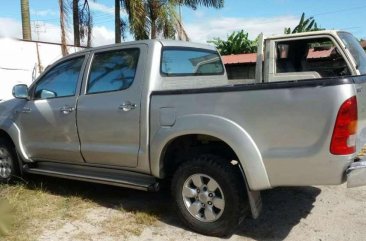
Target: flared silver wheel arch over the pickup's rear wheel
(219,127)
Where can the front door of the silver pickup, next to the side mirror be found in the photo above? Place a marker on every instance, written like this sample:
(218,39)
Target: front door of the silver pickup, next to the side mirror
(47,122)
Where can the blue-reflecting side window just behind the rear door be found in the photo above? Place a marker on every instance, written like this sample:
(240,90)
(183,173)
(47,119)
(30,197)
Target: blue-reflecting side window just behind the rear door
(177,61)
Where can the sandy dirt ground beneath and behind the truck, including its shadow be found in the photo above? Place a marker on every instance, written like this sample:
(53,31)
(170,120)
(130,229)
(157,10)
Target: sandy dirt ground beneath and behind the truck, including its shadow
(302,213)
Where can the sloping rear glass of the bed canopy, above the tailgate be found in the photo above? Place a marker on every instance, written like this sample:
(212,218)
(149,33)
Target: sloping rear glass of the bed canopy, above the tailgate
(356,50)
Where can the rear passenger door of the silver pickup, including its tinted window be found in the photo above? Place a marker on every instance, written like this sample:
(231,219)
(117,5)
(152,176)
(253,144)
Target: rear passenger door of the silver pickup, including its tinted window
(108,114)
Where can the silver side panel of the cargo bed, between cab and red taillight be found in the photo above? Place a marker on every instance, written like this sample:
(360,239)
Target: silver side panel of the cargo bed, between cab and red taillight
(291,127)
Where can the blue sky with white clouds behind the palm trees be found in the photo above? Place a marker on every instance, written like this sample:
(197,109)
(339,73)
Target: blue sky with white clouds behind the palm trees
(266,16)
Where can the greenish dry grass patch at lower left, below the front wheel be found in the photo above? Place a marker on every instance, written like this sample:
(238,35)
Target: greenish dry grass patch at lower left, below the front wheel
(31,207)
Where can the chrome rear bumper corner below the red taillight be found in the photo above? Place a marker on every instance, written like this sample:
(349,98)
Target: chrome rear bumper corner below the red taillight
(356,174)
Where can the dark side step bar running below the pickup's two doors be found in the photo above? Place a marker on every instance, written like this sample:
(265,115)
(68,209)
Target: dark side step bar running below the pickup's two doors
(95,174)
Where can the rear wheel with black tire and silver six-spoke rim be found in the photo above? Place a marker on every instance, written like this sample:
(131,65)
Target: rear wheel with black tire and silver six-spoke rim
(230,183)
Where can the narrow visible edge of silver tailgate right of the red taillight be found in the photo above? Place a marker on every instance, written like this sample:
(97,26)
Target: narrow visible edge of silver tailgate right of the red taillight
(360,84)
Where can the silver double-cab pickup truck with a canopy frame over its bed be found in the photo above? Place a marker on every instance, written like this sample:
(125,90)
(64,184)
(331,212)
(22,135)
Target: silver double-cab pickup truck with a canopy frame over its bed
(134,114)
